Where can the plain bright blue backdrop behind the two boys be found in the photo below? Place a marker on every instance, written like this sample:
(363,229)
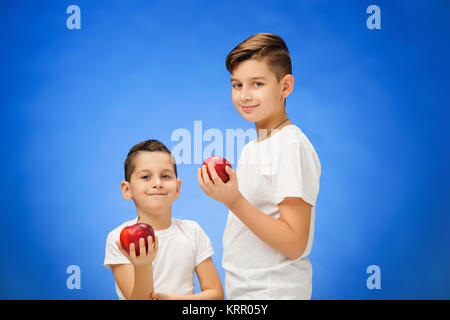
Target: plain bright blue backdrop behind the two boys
(374,103)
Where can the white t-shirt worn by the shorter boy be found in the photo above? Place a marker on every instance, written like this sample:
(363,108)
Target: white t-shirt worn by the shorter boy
(181,247)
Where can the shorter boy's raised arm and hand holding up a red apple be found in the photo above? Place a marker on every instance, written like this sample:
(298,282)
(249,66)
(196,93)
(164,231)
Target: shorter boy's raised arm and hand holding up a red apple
(136,280)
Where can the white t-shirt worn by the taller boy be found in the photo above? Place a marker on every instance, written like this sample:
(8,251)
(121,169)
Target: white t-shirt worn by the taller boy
(284,165)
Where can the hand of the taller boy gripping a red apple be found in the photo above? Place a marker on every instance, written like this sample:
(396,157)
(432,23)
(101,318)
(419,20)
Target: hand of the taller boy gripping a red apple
(215,188)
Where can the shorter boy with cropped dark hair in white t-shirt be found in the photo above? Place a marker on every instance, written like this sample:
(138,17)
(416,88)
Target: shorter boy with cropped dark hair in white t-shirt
(166,270)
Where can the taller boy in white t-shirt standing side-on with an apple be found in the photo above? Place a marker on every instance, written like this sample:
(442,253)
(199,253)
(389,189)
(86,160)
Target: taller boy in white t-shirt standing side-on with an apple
(272,194)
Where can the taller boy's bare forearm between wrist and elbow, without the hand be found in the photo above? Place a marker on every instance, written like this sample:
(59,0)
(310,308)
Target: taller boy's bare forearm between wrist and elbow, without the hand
(274,232)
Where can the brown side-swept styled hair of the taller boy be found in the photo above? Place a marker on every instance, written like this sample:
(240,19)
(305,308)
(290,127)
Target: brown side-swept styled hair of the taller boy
(260,46)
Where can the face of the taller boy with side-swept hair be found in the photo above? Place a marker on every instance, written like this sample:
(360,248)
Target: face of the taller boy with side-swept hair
(256,93)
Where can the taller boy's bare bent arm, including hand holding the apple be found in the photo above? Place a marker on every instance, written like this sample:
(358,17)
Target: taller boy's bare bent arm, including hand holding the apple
(287,235)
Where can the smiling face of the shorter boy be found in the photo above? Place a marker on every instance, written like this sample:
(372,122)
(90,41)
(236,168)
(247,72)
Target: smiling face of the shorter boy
(153,185)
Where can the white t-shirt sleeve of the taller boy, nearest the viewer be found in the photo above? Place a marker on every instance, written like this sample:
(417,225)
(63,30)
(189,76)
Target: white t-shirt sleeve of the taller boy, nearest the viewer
(298,173)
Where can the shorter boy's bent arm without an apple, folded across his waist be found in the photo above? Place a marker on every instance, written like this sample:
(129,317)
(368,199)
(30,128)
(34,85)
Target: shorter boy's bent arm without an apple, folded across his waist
(209,282)
